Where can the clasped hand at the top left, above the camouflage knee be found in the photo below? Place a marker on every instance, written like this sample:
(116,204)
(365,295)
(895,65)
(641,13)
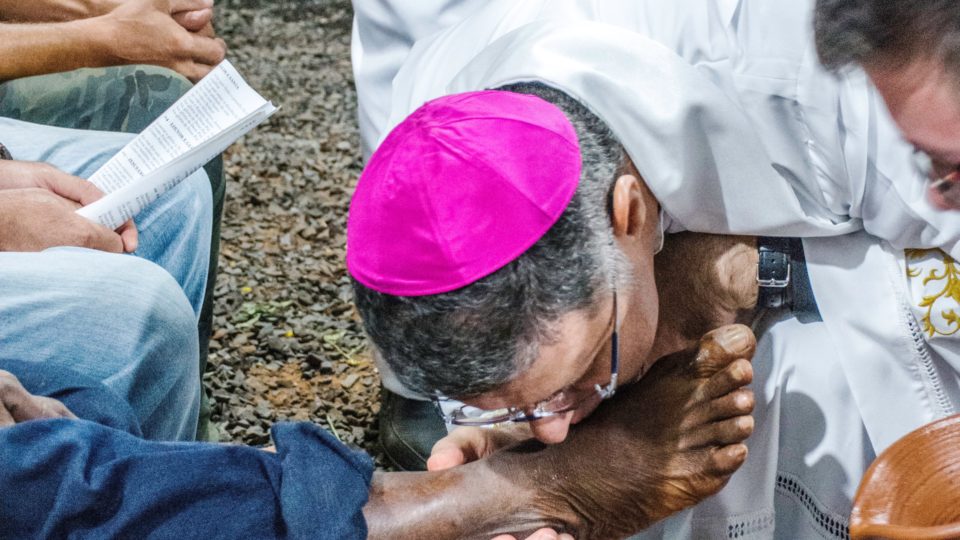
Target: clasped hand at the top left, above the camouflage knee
(158,32)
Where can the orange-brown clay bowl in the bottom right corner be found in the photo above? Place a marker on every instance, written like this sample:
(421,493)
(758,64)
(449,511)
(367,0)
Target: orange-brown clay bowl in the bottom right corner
(912,490)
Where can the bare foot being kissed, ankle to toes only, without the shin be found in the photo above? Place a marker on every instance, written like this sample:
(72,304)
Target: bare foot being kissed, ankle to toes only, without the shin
(664,444)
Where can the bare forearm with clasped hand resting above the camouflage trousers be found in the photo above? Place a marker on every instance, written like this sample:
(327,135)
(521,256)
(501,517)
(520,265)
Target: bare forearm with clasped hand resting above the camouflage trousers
(138,32)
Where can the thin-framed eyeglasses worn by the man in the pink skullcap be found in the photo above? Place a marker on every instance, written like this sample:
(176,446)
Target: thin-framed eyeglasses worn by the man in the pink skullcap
(563,401)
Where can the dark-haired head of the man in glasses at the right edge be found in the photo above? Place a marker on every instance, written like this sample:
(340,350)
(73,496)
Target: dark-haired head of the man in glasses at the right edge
(911,51)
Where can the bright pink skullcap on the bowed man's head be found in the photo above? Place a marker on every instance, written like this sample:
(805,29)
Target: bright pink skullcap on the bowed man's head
(460,188)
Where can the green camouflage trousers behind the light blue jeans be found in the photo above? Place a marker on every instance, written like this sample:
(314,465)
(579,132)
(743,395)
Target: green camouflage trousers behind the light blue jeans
(124,99)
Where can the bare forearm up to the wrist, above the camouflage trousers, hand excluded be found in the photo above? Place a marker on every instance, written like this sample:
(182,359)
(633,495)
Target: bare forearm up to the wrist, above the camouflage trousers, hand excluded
(36,49)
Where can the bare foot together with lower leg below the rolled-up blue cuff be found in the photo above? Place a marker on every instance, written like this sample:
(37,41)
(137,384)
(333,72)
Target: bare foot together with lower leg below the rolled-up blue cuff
(660,445)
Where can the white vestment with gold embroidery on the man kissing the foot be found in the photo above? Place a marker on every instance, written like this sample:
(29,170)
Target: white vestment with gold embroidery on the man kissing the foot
(729,118)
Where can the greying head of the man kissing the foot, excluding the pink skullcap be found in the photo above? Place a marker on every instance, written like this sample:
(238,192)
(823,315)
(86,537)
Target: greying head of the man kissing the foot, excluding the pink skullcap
(542,324)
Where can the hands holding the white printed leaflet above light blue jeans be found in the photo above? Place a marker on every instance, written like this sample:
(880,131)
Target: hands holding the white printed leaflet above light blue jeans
(38,210)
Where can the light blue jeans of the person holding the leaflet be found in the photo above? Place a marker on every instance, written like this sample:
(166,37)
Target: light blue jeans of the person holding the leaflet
(128,321)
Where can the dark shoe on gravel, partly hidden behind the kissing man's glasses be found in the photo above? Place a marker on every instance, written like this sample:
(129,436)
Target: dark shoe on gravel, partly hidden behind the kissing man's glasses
(408,430)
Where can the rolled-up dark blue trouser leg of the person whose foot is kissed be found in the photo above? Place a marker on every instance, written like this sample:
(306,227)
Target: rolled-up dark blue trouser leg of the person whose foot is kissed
(78,479)
